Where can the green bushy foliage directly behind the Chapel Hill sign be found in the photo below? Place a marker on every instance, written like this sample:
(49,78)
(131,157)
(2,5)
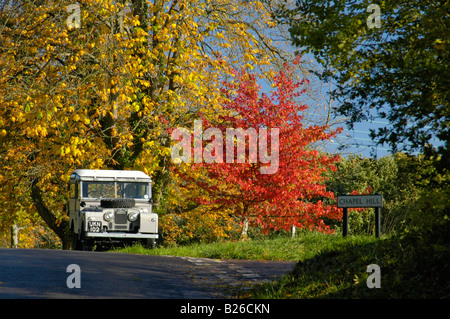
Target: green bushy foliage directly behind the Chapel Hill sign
(404,180)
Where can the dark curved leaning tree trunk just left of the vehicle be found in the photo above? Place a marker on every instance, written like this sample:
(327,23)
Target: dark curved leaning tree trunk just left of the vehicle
(61,229)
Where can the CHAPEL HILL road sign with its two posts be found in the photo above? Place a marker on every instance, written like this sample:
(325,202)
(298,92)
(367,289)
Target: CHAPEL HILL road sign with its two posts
(361,201)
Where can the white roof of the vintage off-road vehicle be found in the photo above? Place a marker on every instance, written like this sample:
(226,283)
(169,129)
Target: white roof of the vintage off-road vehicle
(109,175)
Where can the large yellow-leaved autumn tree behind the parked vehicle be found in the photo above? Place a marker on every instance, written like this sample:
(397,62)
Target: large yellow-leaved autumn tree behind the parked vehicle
(100,91)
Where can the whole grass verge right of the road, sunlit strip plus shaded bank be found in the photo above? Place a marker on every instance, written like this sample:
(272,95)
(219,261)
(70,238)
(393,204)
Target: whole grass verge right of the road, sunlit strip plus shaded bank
(331,266)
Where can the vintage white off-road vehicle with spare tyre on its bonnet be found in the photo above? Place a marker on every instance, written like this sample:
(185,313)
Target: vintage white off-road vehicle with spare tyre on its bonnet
(109,206)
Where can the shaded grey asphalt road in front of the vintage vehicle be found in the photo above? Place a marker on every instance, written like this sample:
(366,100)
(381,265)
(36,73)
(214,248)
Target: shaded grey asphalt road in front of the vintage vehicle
(43,274)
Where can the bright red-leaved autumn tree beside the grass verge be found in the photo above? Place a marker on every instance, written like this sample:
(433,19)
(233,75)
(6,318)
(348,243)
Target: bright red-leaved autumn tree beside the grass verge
(277,181)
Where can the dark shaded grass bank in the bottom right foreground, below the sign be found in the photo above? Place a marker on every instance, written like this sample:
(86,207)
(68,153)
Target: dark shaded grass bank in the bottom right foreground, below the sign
(410,267)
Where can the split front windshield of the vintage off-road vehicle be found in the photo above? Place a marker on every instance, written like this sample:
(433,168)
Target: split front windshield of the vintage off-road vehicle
(108,190)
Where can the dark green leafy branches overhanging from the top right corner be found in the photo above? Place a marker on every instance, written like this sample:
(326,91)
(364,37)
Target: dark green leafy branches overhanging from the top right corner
(397,70)
